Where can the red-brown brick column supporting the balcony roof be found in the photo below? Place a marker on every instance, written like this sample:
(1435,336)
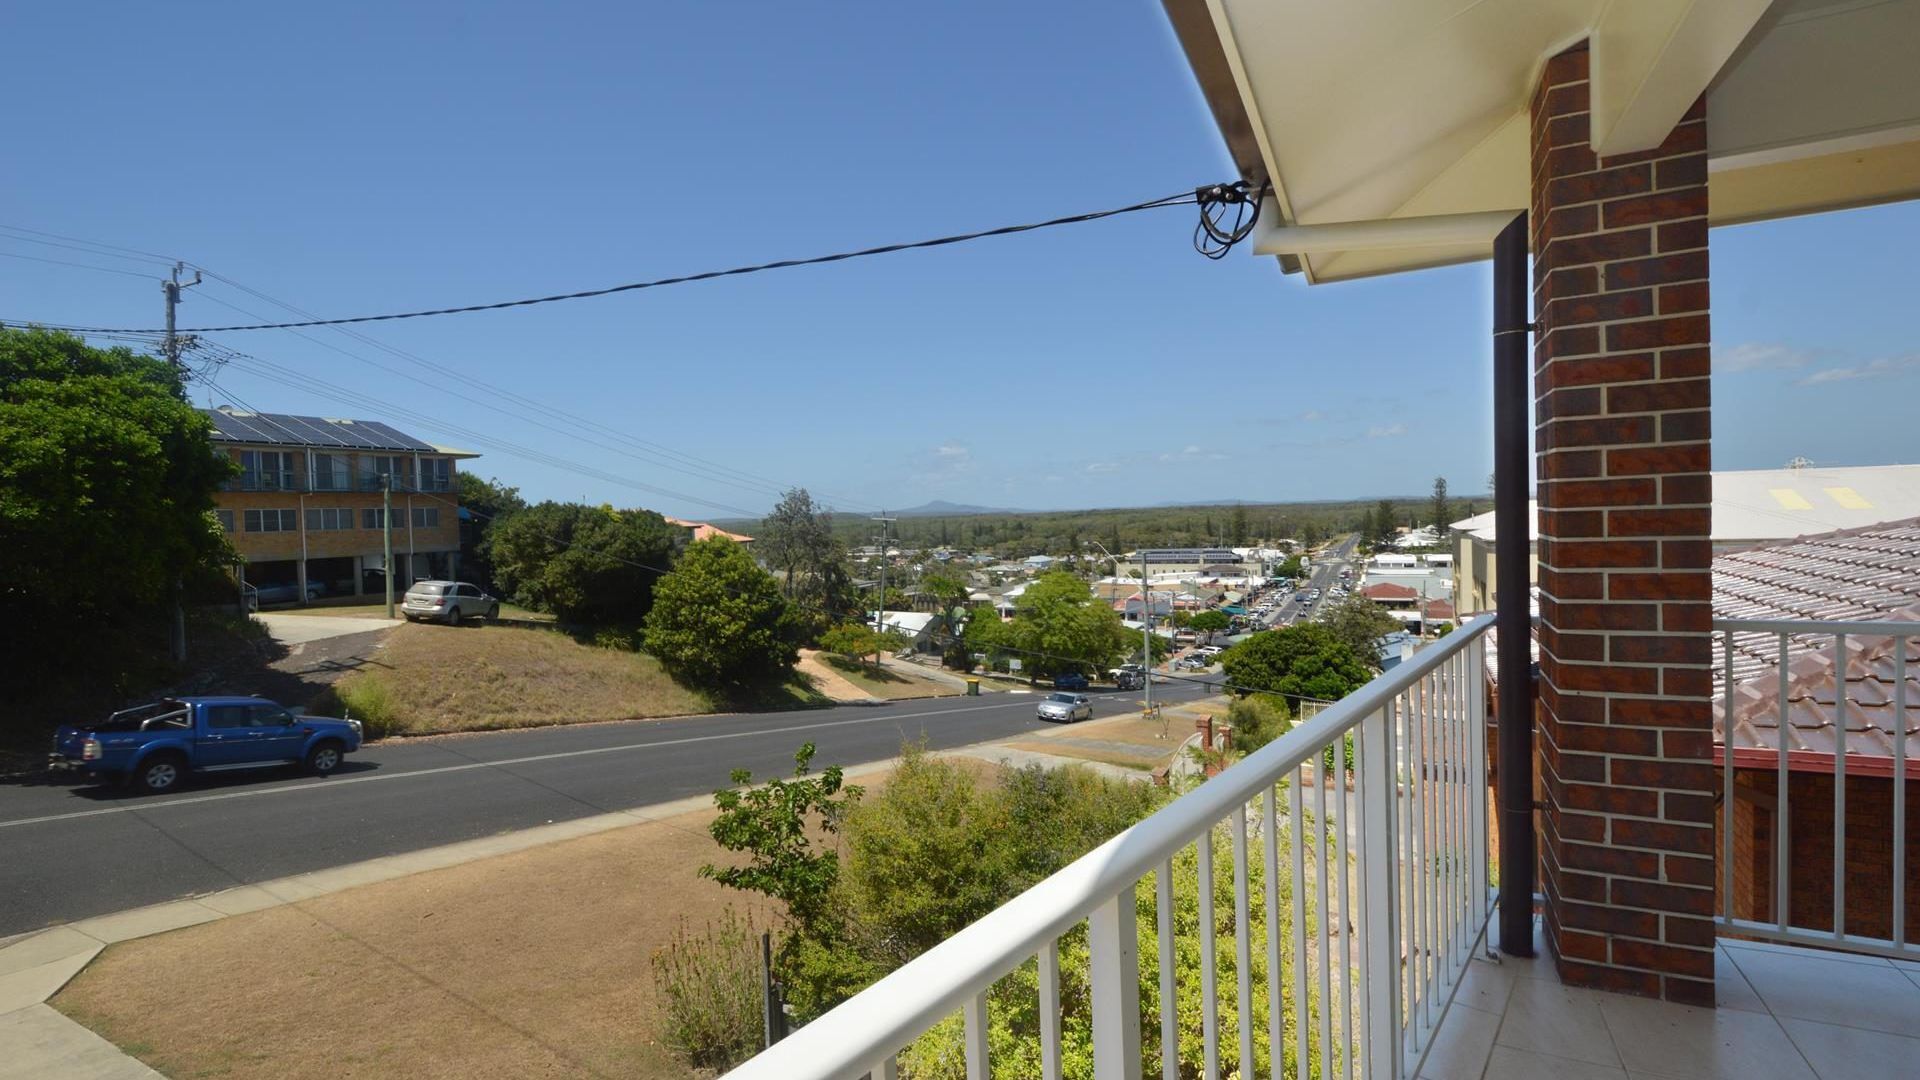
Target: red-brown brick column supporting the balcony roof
(1625,512)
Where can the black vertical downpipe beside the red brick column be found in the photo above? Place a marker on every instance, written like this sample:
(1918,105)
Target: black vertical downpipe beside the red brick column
(1512,549)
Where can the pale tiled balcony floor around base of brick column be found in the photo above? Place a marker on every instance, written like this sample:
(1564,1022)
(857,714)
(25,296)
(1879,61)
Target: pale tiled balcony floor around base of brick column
(1785,1014)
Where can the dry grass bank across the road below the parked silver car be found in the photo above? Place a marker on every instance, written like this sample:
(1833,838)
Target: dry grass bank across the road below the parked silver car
(452,679)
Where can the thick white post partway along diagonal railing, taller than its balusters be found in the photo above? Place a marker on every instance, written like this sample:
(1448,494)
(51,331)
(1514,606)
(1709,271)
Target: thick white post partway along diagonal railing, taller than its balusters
(1380,937)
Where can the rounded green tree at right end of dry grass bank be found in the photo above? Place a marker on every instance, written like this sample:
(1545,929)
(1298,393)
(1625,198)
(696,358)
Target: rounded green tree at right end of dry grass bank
(719,620)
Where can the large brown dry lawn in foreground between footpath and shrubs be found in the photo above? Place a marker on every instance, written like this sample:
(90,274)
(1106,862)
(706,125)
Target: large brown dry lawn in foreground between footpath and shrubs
(523,966)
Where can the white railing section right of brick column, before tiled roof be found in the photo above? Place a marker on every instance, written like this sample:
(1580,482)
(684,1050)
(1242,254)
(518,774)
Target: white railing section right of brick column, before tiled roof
(1831,699)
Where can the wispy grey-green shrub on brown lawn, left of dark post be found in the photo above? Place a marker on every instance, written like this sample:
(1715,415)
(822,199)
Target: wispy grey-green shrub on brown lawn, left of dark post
(709,985)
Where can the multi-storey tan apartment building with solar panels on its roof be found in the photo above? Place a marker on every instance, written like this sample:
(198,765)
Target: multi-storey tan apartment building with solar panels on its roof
(306,510)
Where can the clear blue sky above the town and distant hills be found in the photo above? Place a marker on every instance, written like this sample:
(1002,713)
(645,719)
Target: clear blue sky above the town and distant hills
(362,159)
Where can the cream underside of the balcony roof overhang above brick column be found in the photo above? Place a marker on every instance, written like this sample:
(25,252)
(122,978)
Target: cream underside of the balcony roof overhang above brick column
(1397,110)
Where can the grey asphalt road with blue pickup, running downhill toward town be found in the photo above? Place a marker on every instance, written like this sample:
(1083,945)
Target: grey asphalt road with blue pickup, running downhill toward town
(70,852)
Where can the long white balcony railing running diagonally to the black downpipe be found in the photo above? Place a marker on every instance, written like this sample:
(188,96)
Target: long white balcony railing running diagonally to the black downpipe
(1374,906)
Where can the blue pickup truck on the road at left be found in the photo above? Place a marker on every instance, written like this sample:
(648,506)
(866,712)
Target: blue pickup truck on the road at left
(158,747)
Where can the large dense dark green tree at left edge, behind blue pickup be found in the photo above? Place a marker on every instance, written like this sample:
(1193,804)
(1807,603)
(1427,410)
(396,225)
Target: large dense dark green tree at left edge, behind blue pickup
(107,506)
